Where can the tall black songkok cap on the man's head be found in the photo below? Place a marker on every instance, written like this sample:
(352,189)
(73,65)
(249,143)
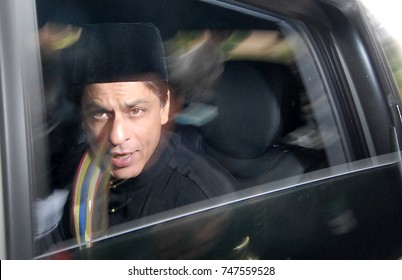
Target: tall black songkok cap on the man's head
(115,52)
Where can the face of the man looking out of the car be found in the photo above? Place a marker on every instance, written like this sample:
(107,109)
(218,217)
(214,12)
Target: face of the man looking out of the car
(123,120)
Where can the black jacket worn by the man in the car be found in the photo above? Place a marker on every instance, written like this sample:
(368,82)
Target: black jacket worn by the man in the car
(178,176)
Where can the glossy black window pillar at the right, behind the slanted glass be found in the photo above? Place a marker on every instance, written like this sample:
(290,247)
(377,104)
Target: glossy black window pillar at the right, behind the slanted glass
(358,88)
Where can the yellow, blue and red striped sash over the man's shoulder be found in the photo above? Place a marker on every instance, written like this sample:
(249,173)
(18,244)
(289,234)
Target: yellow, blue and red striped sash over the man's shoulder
(90,199)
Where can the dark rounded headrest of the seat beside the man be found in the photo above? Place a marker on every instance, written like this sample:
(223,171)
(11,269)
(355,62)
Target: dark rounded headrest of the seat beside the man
(249,116)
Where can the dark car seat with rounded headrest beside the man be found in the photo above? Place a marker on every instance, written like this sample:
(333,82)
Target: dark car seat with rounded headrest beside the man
(257,104)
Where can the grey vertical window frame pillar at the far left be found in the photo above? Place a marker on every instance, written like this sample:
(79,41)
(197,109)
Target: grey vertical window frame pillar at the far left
(22,124)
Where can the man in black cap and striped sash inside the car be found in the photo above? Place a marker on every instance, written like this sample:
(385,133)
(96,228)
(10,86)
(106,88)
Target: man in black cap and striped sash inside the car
(130,167)
